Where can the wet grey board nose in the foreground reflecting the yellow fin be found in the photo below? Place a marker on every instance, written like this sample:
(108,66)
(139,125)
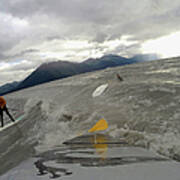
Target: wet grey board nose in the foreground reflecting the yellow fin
(95,157)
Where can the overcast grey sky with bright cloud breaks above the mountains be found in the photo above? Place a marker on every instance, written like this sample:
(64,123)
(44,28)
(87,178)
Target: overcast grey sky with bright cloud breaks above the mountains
(37,31)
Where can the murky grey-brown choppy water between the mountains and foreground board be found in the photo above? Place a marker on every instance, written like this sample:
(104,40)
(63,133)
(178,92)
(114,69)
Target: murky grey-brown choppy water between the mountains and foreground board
(143,109)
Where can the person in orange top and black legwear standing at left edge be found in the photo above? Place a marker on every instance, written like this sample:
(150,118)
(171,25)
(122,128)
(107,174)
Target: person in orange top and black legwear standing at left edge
(3,107)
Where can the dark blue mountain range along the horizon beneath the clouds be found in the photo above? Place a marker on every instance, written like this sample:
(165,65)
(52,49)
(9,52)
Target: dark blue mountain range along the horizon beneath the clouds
(62,69)
